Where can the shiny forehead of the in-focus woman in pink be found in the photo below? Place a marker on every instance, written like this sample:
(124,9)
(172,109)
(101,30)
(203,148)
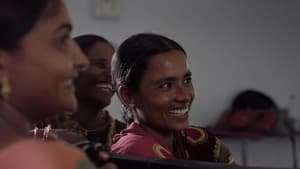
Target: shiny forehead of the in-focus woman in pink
(171,63)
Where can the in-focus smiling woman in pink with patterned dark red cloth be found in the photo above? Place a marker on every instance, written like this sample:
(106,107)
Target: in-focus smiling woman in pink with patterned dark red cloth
(154,82)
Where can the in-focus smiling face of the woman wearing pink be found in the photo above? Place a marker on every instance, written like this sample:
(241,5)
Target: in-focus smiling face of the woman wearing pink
(166,93)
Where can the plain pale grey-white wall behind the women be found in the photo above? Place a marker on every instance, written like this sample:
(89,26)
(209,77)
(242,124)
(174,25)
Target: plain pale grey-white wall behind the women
(231,44)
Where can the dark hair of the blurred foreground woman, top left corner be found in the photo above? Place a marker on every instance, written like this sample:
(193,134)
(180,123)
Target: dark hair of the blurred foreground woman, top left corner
(17,18)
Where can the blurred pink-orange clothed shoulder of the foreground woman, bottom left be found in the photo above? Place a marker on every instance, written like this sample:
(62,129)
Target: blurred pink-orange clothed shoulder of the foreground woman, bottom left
(42,155)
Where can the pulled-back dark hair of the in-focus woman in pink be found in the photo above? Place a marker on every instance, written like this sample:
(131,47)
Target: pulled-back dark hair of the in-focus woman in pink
(134,54)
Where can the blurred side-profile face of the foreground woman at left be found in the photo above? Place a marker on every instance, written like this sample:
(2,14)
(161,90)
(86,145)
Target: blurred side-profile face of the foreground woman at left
(42,70)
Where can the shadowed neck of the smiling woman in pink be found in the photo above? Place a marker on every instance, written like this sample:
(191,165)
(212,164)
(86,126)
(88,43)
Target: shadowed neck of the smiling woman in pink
(164,137)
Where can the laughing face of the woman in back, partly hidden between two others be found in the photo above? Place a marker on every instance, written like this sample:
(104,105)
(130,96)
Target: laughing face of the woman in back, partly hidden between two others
(95,85)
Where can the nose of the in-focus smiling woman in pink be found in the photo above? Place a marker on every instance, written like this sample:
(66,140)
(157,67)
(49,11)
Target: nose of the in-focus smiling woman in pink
(184,94)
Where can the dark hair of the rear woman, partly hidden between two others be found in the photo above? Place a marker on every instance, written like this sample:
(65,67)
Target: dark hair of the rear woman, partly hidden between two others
(86,42)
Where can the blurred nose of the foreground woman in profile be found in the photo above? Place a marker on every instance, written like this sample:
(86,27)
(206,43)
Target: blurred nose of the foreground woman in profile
(81,62)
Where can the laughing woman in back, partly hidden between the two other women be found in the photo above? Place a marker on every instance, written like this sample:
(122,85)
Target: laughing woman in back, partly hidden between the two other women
(94,92)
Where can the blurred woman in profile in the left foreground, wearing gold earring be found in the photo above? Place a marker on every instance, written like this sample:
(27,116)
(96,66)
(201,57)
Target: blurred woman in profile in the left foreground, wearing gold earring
(38,63)
